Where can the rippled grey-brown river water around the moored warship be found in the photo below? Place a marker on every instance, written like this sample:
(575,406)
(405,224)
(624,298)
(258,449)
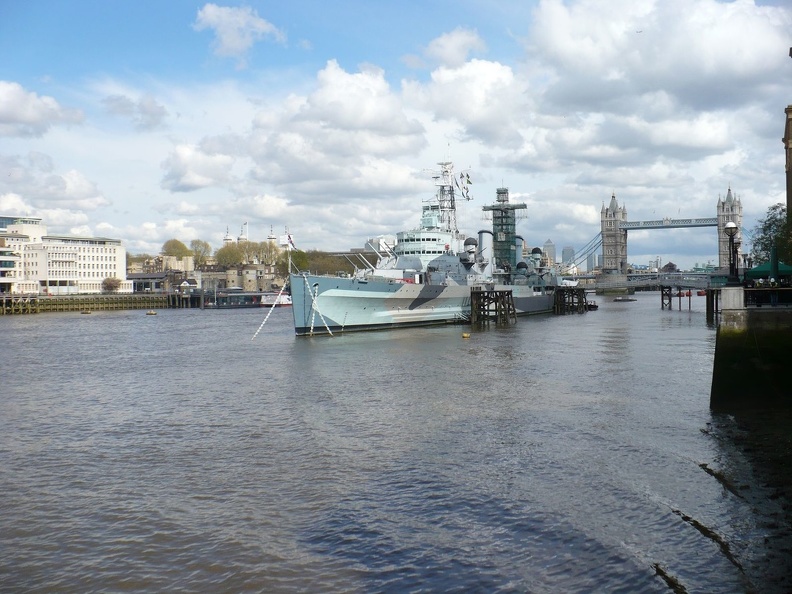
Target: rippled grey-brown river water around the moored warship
(563,454)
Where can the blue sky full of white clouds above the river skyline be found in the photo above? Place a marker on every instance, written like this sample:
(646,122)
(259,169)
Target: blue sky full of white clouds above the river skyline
(147,120)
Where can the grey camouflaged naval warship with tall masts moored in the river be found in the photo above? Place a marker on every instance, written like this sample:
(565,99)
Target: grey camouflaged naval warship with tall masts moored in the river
(426,278)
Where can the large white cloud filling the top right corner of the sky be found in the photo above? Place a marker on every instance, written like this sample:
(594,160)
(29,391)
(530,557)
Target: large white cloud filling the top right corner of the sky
(705,54)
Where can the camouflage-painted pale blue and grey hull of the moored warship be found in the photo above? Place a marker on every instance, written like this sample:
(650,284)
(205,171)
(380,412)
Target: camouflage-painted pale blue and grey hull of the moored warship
(323,304)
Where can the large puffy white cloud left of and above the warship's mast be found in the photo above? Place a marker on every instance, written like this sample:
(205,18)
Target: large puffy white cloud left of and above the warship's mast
(339,141)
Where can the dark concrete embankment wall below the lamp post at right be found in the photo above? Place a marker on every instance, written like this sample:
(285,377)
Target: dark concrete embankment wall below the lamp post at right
(753,353)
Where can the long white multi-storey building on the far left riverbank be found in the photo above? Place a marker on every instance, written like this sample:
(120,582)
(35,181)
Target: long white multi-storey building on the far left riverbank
(58,264)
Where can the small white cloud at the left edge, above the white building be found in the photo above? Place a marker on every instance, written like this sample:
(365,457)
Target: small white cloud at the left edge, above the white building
(25,113)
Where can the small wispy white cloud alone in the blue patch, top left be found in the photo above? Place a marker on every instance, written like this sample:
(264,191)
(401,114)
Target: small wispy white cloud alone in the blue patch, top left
(235,29)
